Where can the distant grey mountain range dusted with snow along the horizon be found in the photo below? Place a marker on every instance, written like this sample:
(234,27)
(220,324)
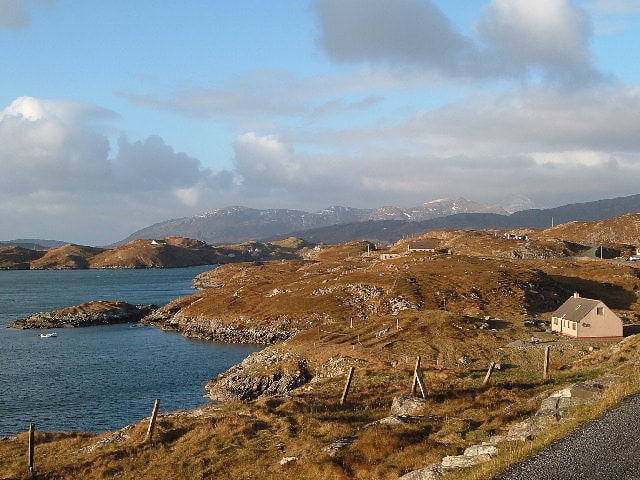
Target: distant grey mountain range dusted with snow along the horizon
(386,225)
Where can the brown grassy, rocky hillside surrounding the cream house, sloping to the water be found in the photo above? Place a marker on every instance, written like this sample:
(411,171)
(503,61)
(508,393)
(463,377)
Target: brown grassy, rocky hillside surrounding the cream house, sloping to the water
(479,297)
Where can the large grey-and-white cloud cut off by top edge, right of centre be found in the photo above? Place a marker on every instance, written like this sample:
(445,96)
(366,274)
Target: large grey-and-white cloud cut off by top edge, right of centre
(515,38)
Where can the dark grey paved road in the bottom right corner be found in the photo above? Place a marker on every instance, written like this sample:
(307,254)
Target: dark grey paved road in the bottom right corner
(607,448)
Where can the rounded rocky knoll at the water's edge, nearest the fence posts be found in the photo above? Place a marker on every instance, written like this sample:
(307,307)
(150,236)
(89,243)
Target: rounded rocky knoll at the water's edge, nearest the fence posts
(264,373)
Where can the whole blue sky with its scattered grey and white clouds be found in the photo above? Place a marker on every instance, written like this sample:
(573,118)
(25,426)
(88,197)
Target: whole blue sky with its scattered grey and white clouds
(117,115)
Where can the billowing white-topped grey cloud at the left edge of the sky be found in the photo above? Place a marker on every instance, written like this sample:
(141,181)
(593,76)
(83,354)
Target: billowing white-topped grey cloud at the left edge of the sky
(57,161)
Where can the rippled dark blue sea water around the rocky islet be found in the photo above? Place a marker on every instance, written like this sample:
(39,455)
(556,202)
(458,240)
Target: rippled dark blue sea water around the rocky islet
(97,379)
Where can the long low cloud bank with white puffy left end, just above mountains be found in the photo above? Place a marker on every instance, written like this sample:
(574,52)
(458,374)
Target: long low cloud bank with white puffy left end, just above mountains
(386,177)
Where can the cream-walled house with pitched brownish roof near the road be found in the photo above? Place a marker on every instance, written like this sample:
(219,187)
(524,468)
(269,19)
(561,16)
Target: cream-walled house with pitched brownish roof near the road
(585,318)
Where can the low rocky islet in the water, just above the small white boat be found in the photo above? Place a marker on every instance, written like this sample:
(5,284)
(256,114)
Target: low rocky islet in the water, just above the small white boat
(86,315)
